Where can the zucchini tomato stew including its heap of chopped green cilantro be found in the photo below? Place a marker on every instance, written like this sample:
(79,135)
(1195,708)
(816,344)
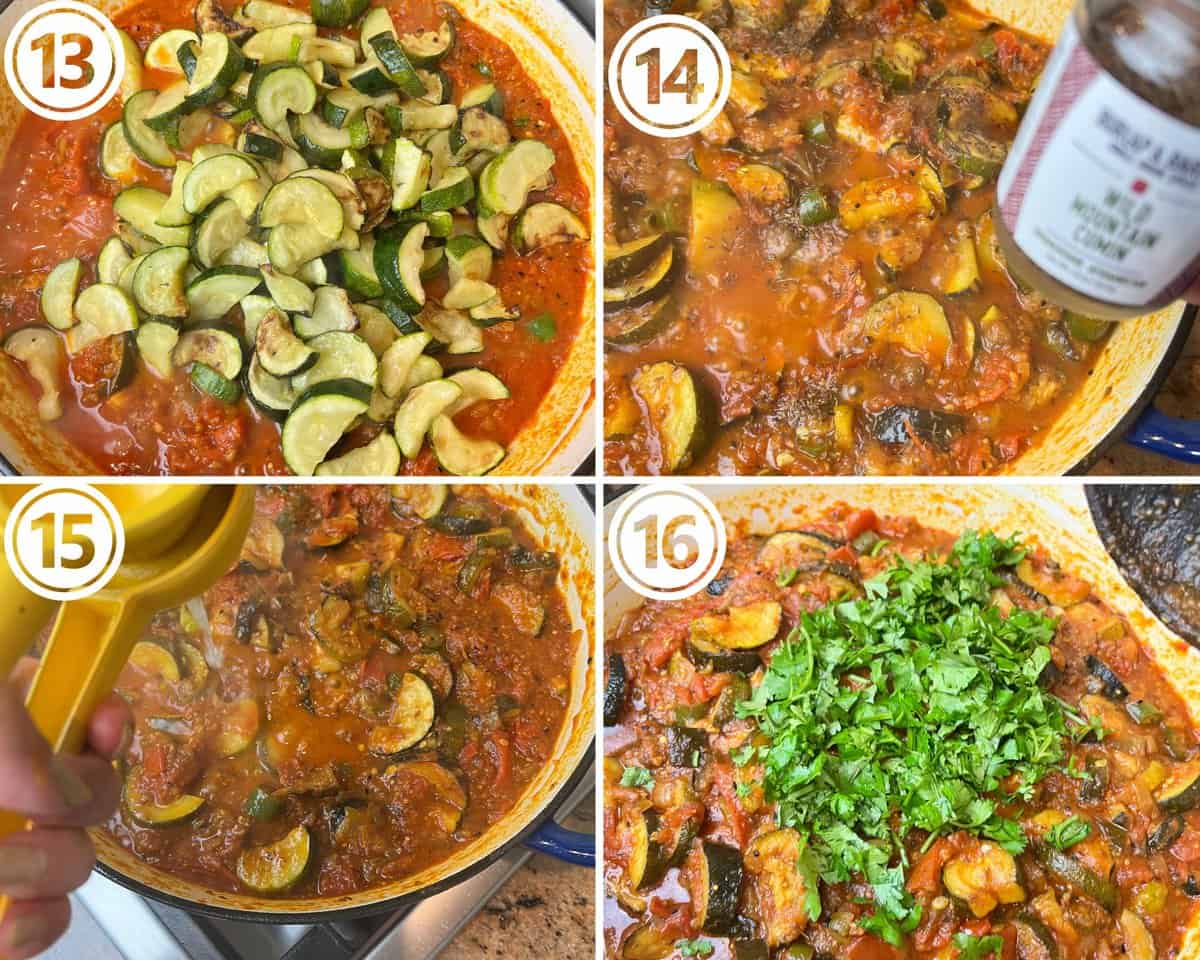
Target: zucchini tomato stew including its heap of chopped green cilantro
(868,740)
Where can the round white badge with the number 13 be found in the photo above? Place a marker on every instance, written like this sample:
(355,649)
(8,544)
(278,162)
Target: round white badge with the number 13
(64,61)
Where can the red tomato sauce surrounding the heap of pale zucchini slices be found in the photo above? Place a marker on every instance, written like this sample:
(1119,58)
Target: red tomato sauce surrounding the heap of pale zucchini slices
(58,205)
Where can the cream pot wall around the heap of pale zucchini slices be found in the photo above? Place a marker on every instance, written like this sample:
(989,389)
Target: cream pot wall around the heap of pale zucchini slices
(559,53)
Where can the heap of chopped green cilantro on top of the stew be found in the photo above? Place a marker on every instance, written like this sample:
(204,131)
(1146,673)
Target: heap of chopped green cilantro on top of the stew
(915,707)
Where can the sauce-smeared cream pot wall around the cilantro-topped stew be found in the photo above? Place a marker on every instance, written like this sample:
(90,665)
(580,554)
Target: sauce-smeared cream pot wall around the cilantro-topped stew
(1057,518)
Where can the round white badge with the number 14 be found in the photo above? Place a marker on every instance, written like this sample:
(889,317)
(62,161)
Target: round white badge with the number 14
(670,76)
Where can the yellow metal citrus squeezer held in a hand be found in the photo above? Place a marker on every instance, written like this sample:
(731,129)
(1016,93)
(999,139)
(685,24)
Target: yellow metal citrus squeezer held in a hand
(181,539)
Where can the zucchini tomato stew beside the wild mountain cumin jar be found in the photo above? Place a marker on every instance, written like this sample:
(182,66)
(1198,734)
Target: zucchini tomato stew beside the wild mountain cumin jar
(812,285)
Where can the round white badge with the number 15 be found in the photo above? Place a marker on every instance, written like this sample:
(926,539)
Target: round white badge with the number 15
(64,543)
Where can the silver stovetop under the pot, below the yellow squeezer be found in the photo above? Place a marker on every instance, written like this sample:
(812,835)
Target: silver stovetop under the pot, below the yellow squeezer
(112,923)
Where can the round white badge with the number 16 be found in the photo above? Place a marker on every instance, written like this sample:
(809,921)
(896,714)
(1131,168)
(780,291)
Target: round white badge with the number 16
(667,542)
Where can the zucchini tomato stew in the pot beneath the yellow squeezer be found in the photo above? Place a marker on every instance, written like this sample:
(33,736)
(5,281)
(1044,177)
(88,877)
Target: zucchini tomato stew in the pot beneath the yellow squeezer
(370,691)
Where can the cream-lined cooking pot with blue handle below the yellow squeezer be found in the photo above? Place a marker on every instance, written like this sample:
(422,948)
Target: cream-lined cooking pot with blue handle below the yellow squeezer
(560,519)
